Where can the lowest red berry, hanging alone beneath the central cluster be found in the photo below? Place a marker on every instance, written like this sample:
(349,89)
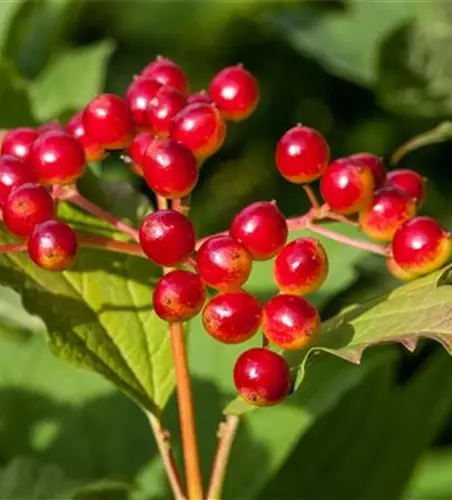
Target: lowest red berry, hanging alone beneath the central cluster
(262,377)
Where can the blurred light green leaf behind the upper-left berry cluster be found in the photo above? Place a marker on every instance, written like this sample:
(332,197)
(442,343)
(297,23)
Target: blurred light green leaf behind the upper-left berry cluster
(70,81)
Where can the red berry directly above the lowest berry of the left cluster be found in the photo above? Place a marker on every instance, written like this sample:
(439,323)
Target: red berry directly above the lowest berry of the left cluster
(26,207)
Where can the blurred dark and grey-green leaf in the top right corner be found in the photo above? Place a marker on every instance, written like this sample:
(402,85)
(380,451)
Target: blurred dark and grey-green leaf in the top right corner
(415,73)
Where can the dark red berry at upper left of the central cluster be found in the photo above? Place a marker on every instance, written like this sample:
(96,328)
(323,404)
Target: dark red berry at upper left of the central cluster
(167,237)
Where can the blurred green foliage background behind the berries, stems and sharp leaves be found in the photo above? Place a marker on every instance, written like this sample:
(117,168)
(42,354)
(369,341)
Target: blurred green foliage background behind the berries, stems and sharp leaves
(369,76)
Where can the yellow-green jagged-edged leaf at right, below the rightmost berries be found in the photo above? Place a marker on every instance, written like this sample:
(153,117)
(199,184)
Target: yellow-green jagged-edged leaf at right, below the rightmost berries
(420,309)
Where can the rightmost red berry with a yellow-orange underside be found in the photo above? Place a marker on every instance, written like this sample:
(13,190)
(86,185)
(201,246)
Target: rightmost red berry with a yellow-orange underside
(421,245)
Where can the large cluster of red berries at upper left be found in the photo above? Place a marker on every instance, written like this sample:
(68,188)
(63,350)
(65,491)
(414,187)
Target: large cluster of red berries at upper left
(165,130)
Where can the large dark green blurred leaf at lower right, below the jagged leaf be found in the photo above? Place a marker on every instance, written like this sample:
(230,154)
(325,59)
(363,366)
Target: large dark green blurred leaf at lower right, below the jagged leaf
(383,425)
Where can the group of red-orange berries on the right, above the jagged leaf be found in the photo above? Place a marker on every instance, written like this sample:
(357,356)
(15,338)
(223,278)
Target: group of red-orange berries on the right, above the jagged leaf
(385,203)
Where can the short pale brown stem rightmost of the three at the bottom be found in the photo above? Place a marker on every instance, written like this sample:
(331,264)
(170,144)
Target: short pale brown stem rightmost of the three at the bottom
(226,434)
